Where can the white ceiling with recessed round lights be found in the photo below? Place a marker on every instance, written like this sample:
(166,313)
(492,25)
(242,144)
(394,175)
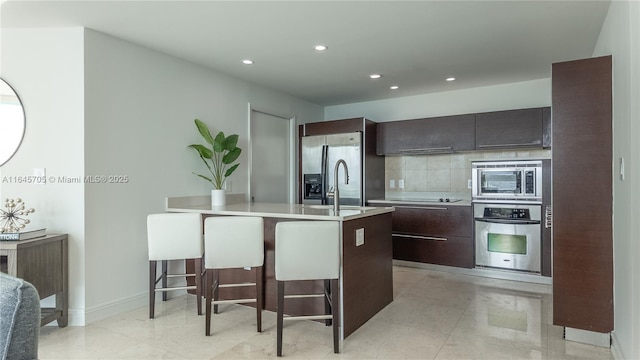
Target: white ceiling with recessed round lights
(413,44)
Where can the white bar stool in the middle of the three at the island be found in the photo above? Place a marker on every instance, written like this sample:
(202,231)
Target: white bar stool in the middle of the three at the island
(232,242)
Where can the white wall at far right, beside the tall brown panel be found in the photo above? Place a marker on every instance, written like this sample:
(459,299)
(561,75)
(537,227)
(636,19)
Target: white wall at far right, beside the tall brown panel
(620,37)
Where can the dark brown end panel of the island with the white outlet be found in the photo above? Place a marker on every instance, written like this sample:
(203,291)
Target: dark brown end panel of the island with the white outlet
(367,270)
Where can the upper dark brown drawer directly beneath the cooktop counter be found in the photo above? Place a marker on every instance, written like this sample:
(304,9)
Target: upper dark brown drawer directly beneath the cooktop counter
(435,221)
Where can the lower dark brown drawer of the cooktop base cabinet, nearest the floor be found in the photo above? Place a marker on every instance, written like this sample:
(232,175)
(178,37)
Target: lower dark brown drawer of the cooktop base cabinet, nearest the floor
(449,251)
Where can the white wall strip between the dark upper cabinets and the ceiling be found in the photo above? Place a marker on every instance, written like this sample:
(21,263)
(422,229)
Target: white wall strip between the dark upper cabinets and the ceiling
(536,93)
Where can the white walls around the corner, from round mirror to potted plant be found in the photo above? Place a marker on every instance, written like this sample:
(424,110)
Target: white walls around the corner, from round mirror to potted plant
(133,117)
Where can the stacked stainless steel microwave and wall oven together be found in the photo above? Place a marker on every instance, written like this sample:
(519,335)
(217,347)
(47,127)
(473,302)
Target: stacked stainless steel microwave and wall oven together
(507,207)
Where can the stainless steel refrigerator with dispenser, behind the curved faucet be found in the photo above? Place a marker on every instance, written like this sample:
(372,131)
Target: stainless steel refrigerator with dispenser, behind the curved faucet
(319,155)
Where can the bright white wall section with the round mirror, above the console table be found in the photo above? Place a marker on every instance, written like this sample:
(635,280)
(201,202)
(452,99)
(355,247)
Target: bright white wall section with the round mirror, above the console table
(46,69)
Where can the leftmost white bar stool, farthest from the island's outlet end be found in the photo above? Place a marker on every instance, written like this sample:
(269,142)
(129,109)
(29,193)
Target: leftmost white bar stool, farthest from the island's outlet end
(174,236)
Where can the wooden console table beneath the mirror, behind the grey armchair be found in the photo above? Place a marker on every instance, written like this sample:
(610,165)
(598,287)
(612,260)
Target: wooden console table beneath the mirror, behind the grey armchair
(43,262)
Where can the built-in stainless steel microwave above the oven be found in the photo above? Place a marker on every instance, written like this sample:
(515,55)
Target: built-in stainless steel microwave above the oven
(507,180)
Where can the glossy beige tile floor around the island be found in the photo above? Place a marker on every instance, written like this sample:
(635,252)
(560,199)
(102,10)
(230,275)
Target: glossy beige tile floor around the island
(434,315)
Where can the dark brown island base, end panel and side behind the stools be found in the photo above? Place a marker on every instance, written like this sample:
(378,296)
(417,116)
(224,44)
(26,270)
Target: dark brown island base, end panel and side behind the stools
(367,272)
